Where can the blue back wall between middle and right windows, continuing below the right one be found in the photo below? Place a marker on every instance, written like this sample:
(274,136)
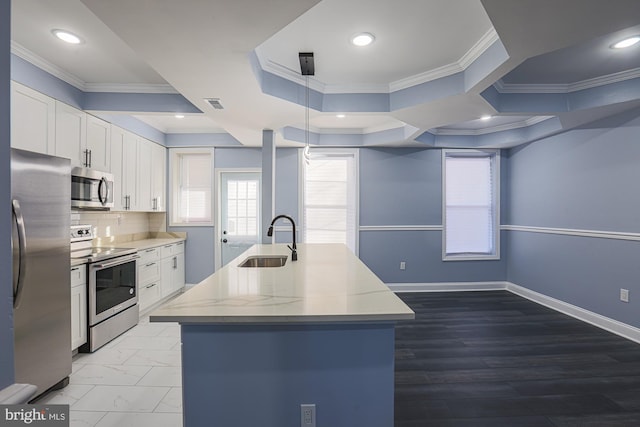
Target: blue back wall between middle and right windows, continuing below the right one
(403,187)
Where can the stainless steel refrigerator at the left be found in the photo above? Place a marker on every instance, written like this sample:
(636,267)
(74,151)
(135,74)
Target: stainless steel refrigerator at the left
(41,205)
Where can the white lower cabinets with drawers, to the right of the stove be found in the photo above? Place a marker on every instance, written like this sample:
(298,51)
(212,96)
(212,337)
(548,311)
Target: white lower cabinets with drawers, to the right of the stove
(160,273)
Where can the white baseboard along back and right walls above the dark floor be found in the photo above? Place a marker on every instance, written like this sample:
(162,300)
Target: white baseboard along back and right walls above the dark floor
(622,329)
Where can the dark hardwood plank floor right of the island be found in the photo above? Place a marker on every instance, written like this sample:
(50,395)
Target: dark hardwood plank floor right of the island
(494,359)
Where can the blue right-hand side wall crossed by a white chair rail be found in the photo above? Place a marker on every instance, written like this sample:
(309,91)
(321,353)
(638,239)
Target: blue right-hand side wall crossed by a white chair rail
(585,179)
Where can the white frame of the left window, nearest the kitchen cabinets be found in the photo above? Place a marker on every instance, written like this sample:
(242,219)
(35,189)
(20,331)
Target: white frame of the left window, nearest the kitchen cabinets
(174,171)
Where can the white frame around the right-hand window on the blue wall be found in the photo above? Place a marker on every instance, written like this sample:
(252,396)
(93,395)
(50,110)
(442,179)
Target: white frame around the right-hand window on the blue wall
(495,164)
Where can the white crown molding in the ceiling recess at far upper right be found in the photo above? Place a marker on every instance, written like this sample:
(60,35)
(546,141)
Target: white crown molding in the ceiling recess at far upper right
(621,76)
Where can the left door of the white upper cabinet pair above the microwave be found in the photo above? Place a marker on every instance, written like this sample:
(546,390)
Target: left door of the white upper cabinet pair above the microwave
(71,133)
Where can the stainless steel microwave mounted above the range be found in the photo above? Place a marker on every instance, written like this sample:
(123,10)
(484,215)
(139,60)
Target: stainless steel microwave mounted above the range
(91,189)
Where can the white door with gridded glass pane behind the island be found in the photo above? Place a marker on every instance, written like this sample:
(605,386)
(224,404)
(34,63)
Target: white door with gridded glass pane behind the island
(239,213)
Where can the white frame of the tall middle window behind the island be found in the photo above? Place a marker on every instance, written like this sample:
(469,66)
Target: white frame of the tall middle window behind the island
(355,153)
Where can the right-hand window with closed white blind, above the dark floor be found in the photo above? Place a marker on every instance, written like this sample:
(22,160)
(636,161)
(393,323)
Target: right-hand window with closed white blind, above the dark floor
(471,204)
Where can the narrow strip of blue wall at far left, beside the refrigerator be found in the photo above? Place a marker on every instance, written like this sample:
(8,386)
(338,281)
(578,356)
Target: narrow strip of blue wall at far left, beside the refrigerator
(6,290)
